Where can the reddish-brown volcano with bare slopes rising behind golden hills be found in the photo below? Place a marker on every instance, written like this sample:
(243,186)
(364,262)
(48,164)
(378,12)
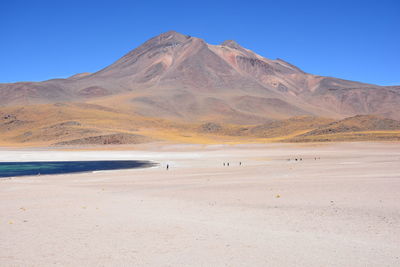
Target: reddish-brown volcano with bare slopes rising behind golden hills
(183,79)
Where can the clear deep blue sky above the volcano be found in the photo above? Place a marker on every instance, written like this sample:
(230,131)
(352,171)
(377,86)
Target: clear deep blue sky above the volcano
(355,40)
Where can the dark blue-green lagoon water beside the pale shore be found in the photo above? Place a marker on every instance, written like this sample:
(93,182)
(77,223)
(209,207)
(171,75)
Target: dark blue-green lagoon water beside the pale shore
(11,169)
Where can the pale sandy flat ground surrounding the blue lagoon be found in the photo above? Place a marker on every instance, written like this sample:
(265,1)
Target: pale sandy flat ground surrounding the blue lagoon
(340,210)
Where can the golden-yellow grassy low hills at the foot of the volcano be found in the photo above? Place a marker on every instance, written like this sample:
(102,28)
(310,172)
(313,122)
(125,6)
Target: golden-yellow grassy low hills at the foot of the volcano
(77,124)
